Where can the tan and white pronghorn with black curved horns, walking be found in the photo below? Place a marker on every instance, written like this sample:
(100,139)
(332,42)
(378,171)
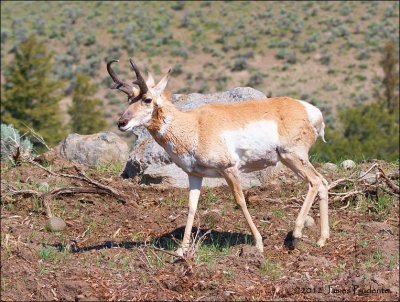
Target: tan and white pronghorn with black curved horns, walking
(219,140)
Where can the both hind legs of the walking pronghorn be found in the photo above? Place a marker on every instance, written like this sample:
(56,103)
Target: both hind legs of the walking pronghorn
(318,186)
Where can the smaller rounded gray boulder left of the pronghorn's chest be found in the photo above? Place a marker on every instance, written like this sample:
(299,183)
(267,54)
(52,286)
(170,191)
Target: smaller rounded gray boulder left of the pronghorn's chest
(95,149)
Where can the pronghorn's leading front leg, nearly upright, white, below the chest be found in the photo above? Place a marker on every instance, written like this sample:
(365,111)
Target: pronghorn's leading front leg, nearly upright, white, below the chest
(194,185)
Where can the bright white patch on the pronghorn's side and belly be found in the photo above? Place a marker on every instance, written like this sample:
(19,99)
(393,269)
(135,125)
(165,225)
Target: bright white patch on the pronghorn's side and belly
(254,146)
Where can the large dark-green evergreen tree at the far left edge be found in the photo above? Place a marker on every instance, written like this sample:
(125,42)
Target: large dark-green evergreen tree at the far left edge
(30,96)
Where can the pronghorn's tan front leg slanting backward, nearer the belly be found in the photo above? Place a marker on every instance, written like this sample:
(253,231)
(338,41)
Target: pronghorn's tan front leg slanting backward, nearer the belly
(232,178)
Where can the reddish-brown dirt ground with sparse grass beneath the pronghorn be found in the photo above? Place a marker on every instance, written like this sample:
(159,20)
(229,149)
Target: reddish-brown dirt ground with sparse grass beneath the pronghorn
(111,250)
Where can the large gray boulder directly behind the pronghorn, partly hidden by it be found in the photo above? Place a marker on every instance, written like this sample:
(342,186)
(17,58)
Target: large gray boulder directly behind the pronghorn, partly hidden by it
(150,161)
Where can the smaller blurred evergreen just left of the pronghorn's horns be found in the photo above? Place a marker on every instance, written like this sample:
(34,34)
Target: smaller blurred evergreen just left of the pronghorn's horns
(86,113)
